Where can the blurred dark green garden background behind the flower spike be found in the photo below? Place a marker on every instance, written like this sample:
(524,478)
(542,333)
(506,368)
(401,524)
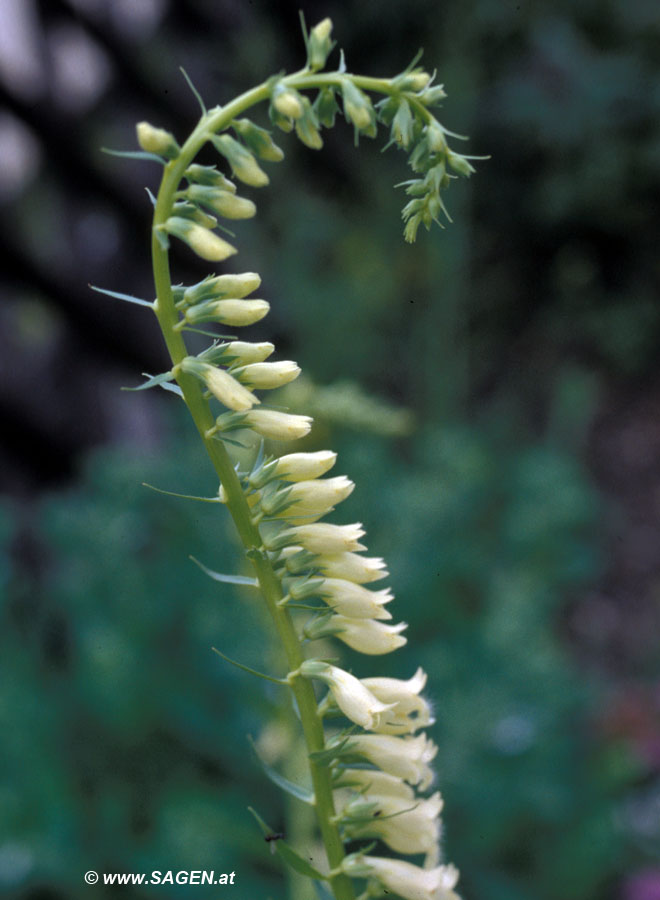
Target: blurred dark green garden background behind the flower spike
(493,391)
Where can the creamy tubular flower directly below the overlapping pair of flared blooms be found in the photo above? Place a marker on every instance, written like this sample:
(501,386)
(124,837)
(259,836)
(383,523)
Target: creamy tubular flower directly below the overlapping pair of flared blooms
(404,757)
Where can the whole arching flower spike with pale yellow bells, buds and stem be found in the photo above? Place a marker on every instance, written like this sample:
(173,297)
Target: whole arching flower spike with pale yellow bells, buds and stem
(369,779)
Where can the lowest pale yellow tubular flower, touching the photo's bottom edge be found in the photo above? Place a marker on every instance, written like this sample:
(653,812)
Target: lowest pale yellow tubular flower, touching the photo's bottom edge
(406,880)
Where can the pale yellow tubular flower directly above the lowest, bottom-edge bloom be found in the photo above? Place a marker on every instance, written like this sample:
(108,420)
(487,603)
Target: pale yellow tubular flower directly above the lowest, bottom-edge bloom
(406,826)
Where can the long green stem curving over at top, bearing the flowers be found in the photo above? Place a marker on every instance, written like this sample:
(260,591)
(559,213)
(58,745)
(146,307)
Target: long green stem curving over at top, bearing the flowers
(217,120)
